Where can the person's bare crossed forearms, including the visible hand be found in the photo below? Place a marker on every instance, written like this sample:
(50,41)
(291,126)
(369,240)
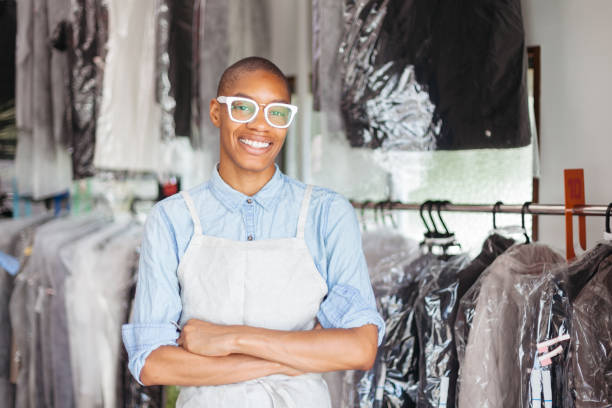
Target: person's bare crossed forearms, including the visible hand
(210,354)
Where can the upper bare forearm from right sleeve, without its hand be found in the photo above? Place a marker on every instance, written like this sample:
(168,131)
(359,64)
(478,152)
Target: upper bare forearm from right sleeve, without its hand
(313,350)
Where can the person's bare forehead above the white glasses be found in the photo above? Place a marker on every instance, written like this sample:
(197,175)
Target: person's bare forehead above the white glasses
(261,85)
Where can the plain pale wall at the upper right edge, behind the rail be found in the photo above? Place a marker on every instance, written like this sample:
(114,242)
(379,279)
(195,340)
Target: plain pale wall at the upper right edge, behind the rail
(576,102)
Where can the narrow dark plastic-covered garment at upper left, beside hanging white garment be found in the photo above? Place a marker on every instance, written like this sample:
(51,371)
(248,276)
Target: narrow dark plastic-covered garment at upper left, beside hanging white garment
(88,36)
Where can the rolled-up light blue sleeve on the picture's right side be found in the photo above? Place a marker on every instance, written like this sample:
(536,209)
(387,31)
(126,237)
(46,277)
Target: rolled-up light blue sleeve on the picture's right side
(350,300)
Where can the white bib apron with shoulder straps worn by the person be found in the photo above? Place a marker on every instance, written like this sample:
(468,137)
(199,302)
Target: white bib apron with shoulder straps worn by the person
(272,284)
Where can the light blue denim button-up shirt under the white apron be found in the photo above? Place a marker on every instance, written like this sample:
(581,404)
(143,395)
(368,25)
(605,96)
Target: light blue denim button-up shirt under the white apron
(332,235)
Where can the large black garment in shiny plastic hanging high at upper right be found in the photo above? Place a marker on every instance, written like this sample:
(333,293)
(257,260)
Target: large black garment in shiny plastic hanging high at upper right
(431,74)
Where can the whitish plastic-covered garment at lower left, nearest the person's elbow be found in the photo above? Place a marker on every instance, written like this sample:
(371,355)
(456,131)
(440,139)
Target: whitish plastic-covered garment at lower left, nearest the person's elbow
(99,276)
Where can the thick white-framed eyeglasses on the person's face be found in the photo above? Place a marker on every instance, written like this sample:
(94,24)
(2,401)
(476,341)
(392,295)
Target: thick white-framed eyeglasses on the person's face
(244,110)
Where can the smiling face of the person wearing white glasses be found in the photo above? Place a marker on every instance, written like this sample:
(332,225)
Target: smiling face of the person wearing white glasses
(250,148)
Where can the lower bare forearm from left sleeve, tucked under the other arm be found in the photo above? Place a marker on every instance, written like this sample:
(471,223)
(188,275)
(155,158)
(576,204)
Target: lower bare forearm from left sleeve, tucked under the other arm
(170,365)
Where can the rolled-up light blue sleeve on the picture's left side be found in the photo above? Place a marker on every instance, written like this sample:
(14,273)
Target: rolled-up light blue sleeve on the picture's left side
(157,302)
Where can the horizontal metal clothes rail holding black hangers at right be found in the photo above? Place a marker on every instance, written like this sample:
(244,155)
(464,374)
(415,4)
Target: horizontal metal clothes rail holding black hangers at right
(532,209)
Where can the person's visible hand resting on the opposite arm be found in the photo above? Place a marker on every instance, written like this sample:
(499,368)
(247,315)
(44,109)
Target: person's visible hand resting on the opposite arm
(207,339)
